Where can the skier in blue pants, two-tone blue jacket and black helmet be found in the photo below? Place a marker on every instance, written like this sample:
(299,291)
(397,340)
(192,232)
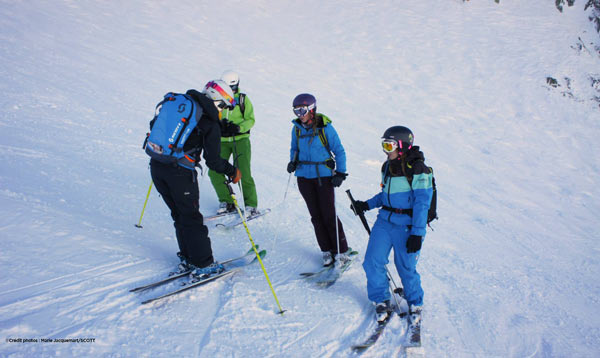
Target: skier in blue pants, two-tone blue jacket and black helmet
(406,191)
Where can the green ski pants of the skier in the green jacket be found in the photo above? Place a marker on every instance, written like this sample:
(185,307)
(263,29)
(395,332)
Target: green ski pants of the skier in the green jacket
(243,149)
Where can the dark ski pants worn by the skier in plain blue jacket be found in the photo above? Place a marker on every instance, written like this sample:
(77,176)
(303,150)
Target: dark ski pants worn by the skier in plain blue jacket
(320,200)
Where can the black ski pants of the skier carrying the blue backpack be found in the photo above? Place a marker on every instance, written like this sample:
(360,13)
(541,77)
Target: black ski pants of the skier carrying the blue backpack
(178,187)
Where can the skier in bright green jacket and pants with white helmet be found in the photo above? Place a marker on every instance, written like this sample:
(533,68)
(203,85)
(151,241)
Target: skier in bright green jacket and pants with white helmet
(235,141)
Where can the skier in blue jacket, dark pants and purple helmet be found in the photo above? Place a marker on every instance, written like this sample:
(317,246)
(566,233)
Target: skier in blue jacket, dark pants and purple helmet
(315,144)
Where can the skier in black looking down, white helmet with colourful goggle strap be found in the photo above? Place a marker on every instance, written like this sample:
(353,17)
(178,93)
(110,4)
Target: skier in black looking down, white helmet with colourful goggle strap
(177,181)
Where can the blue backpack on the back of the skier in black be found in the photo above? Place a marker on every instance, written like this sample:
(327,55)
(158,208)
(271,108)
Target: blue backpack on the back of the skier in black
(176,117)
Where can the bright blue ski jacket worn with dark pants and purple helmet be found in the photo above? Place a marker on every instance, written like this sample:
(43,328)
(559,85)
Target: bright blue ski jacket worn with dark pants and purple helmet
(312,153)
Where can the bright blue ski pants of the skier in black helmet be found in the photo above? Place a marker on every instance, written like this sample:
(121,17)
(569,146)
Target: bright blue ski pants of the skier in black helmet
(384,237)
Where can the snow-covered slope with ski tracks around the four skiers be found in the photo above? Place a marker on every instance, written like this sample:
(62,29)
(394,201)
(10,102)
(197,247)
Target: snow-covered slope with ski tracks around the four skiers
(511,269)
